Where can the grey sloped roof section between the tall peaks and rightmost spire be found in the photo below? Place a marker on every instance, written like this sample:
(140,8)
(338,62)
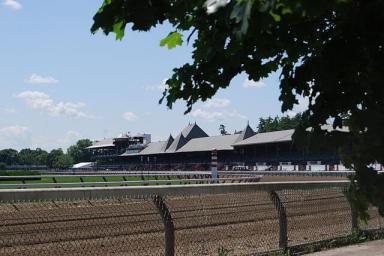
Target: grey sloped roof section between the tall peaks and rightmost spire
(221,142)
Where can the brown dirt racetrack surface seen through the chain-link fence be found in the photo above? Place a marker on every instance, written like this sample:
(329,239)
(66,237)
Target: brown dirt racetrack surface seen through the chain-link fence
(243,223)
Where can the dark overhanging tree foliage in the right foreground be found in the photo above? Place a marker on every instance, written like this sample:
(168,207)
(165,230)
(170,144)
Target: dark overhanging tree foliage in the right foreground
(330,52)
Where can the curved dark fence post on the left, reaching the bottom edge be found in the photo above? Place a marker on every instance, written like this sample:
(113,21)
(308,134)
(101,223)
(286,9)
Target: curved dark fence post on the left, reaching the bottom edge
(169,228)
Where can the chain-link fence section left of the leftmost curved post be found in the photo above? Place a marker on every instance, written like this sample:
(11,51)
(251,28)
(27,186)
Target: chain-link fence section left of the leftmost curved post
(97,227)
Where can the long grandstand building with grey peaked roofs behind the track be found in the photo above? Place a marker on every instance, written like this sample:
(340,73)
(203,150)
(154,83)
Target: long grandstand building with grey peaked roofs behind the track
(192,149)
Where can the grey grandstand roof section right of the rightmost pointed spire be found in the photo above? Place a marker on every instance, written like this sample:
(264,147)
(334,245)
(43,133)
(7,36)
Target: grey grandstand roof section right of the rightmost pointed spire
(267,137)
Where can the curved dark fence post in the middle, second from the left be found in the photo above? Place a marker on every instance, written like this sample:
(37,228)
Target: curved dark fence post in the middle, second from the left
(283,238)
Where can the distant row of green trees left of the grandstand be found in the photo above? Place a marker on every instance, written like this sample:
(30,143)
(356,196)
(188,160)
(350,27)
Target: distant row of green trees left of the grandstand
(56,158)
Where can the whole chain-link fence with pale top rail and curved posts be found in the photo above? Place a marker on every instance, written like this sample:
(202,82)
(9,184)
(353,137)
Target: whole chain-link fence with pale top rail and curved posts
(242,219)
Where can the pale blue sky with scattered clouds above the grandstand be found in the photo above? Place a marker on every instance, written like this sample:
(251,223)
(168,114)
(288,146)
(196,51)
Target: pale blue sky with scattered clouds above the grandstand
(60,83)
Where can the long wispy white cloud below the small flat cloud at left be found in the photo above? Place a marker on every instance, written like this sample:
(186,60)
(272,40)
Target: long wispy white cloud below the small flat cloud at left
(43,102)
